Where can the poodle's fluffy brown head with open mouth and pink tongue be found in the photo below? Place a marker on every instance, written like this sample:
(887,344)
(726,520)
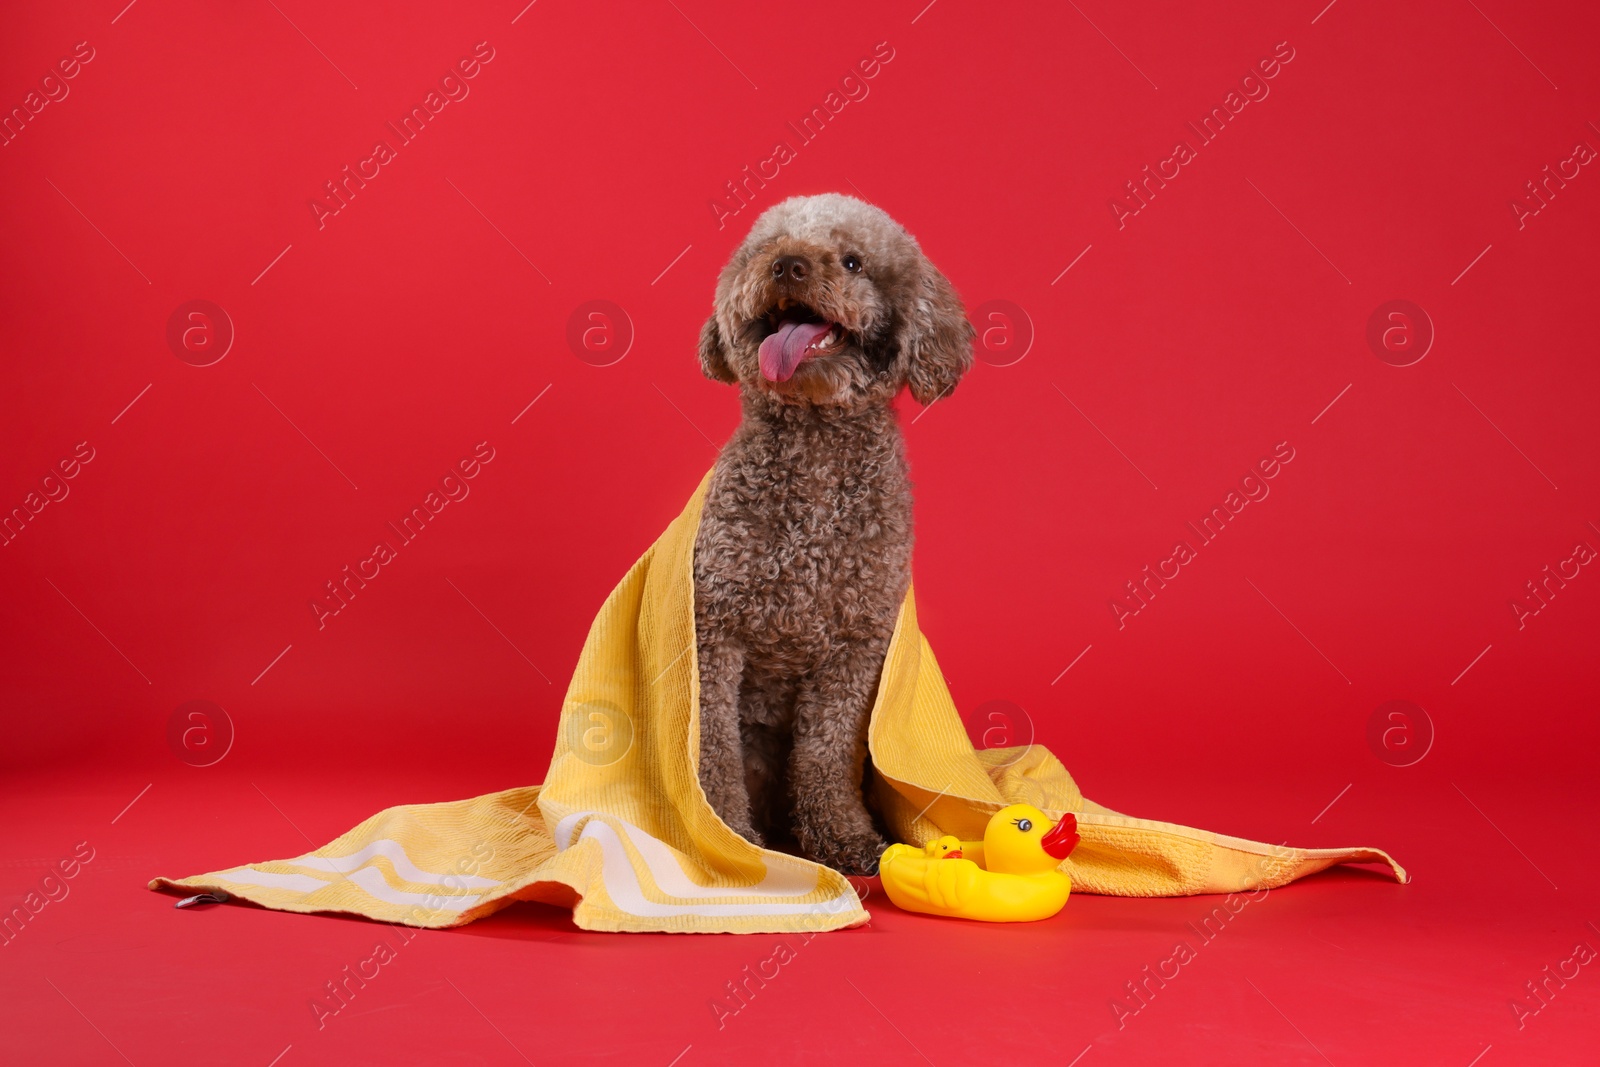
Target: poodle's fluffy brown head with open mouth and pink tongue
(830,302)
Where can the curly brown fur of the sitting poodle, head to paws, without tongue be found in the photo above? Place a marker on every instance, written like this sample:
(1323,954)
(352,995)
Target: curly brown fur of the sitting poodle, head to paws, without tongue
(804,551)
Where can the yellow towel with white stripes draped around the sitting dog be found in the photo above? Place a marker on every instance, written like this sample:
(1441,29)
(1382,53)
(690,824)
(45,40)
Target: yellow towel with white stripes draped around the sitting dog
(623,834)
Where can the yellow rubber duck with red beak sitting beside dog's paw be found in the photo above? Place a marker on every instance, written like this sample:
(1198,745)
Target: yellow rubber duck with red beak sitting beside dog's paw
(1009,877)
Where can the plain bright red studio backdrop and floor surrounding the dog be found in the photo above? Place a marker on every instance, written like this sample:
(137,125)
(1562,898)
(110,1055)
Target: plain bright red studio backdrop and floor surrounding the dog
(375,353)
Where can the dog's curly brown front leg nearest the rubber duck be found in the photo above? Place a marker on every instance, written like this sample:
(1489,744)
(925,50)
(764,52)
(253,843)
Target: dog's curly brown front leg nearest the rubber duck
(831,748)
